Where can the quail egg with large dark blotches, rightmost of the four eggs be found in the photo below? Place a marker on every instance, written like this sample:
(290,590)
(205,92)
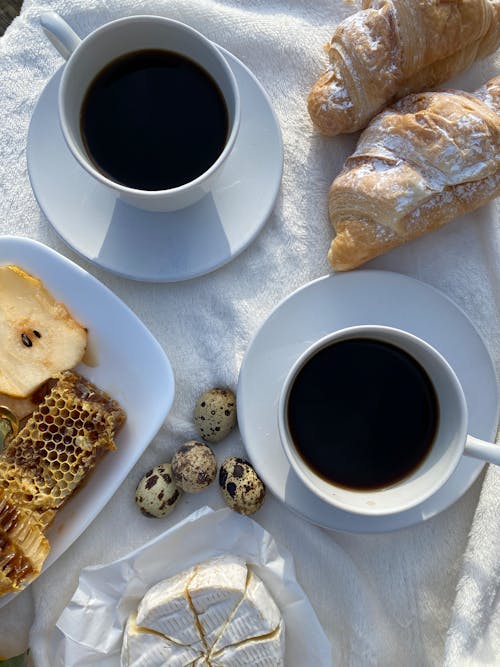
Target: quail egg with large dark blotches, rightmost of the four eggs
(242,489)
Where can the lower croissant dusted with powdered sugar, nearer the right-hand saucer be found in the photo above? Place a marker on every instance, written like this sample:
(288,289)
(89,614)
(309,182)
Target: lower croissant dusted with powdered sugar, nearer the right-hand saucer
(429,158)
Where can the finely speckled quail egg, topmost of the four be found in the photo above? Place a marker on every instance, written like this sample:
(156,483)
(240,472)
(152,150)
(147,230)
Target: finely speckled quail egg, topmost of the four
(215,414)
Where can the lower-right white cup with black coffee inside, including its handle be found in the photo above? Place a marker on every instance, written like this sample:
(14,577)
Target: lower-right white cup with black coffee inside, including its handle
(373,420)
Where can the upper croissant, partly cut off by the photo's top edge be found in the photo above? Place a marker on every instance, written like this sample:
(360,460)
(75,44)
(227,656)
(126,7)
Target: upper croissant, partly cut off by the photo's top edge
(392,48)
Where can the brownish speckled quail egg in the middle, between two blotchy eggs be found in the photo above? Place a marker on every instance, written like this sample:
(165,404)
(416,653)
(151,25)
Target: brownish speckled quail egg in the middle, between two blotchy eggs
(194,466)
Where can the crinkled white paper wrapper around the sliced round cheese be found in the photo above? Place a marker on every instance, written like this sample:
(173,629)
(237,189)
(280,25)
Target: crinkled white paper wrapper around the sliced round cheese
(89,631)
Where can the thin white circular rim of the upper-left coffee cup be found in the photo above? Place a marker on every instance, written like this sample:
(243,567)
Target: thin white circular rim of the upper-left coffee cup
(97,34)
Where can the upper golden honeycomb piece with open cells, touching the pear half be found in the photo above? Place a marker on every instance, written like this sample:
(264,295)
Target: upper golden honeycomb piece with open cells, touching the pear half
(59,445)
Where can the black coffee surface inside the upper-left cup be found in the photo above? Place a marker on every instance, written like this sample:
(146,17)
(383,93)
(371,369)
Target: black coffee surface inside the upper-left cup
(153,120)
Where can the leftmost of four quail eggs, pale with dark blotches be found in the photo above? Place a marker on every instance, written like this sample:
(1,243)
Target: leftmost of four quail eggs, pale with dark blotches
(157,494)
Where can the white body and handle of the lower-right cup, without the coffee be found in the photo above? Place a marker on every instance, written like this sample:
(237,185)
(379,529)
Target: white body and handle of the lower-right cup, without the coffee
(450,442)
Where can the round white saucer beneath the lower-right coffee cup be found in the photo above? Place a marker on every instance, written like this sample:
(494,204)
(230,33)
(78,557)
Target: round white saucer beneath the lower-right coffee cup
(334,302)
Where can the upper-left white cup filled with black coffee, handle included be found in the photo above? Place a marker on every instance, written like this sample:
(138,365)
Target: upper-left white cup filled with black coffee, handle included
(148,106)
